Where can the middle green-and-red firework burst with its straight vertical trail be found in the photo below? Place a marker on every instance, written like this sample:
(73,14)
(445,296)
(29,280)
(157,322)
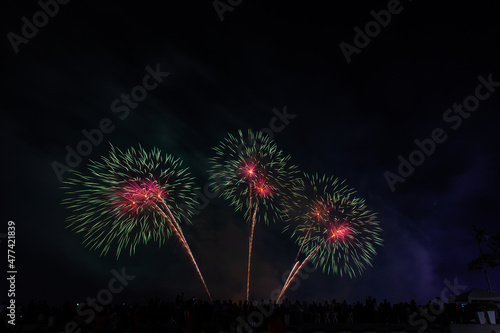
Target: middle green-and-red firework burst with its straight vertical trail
(256,178)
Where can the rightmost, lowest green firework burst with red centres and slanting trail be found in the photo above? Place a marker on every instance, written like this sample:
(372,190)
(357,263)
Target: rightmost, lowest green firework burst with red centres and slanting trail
(334,228)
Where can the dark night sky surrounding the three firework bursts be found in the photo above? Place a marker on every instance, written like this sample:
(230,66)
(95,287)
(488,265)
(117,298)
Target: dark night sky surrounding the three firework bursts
(352,121)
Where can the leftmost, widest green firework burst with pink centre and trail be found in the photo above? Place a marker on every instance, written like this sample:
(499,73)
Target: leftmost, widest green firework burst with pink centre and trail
(120,200)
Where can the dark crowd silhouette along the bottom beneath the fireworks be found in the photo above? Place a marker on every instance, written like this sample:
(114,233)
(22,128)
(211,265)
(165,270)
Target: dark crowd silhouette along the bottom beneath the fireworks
(193,315)
